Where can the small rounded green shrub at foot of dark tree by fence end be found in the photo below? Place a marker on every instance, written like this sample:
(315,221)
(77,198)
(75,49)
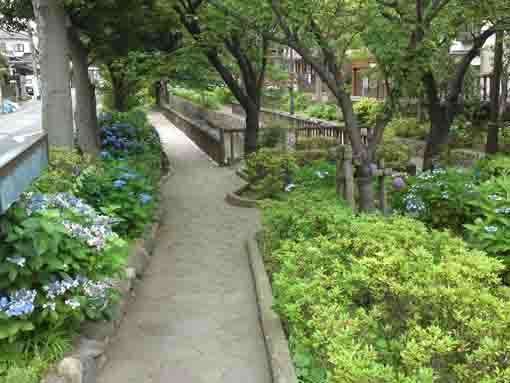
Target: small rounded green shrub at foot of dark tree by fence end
(269,172)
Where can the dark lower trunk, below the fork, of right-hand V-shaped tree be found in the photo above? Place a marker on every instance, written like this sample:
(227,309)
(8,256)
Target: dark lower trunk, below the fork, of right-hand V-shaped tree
(438,136)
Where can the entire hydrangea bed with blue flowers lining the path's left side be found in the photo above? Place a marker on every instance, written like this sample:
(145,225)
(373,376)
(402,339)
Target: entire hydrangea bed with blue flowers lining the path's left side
(64,245)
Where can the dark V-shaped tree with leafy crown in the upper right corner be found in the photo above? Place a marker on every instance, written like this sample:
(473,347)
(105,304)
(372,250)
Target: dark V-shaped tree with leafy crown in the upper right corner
(431,27)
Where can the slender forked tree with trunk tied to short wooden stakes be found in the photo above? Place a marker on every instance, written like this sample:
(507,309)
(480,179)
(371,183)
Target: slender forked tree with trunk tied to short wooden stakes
(322,35)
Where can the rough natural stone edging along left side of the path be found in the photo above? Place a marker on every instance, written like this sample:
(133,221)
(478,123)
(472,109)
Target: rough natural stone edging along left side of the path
(89,353)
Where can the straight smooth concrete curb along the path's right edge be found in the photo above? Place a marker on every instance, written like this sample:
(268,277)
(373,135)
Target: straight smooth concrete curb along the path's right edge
(277,346)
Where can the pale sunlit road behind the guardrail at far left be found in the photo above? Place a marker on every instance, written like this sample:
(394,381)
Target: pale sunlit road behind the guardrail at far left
(16,128)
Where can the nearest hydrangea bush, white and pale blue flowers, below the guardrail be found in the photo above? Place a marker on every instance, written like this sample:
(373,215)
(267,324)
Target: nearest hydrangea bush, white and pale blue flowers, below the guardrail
(58,257)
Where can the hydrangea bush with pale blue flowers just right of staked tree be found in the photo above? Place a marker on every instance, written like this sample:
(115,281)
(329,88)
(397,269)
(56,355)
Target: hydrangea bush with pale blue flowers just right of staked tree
(439,198)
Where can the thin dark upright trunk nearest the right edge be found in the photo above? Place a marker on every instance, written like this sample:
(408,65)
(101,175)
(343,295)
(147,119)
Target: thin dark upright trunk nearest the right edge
(493,136)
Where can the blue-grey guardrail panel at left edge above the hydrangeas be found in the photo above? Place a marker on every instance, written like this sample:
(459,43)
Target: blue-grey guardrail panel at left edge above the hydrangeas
(20,166)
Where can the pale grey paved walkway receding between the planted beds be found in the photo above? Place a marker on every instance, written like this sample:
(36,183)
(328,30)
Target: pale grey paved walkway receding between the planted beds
(195,317)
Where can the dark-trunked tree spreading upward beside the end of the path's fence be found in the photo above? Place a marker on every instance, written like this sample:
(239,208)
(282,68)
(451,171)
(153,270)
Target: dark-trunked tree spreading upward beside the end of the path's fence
(238,55)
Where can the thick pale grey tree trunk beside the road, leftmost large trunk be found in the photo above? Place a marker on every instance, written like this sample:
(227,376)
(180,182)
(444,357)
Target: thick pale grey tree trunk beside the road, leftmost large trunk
(57,115)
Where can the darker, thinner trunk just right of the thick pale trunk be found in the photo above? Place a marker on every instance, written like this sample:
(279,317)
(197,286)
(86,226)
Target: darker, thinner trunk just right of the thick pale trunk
(85,114)
